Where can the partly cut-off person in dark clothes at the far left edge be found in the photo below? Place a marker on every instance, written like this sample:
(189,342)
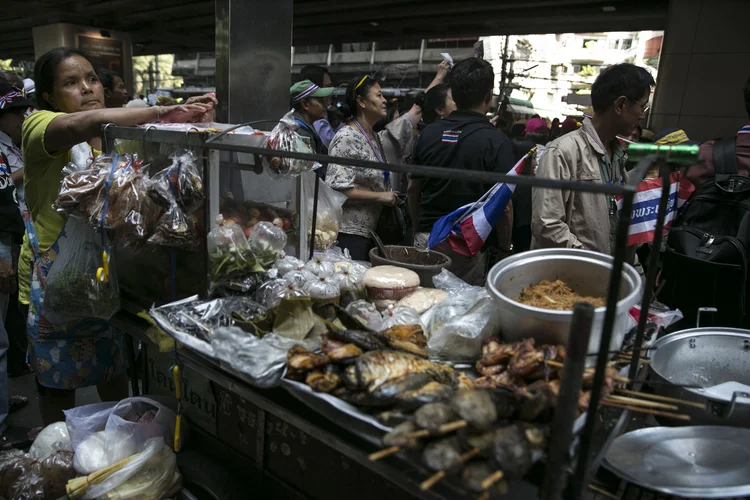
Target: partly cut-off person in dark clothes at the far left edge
(13,105)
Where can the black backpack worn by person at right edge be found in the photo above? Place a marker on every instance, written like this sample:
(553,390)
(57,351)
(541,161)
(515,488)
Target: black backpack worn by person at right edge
(706,260)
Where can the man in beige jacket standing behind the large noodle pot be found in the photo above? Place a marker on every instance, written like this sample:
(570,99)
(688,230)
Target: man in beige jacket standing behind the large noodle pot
(571,219)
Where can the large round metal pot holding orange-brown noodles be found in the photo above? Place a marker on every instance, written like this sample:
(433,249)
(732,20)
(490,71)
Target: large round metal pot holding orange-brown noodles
(584,271)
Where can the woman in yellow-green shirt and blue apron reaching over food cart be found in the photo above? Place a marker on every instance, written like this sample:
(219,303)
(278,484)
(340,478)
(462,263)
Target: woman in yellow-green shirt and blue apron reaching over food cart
(67,128)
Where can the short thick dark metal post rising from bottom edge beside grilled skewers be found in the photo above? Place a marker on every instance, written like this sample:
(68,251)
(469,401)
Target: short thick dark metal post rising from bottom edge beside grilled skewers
(566,411)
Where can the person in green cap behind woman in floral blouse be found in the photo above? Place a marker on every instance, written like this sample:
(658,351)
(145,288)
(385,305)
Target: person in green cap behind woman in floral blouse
(310,103)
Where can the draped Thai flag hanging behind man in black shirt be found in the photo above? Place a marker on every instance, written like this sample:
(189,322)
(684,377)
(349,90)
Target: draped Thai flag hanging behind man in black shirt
(468,227)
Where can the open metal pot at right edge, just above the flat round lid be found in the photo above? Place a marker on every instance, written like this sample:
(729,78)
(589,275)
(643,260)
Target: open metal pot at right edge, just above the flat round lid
(717,360)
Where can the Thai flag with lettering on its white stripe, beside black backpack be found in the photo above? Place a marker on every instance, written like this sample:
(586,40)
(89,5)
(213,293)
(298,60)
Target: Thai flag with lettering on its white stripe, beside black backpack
(646,206)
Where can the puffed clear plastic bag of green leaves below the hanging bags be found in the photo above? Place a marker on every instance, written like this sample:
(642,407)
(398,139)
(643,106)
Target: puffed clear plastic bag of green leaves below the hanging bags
(228,252)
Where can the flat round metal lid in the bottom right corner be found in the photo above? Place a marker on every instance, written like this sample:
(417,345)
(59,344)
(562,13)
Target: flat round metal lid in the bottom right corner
(688,462)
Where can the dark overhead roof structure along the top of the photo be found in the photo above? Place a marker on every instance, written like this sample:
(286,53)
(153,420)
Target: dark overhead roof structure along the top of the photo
(182,26)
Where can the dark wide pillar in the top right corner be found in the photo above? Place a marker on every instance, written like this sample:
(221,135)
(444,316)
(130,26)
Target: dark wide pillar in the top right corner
(705,61)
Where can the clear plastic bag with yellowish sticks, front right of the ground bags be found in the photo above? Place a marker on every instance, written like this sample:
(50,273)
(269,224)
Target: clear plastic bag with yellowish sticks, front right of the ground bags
(150,475)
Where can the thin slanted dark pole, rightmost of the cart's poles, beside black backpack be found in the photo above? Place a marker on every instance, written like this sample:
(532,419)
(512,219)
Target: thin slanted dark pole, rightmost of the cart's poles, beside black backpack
(653,262)
